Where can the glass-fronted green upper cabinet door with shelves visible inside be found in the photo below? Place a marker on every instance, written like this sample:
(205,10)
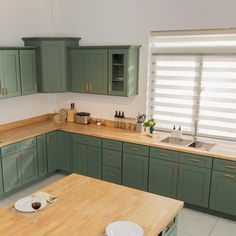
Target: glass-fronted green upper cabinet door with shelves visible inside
(117,71)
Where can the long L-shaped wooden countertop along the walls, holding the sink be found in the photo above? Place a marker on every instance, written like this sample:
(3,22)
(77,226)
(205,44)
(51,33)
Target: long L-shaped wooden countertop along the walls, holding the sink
(222,149)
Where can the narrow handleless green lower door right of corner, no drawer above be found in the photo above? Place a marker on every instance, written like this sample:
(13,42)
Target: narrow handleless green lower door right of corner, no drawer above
(63,147)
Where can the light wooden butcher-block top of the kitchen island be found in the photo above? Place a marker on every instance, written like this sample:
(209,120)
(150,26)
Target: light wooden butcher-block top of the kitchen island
(85,206)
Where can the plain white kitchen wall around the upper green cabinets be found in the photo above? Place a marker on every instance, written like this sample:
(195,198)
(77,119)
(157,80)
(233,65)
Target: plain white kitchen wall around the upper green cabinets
(99,23)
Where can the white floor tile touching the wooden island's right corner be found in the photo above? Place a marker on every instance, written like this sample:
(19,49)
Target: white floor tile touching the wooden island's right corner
(194,223)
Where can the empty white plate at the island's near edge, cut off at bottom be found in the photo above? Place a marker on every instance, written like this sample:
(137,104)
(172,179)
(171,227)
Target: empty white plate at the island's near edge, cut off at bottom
(124,228)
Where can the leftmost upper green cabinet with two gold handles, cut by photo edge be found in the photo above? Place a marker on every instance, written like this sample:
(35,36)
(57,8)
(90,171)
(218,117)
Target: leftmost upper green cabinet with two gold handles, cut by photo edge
(10,73)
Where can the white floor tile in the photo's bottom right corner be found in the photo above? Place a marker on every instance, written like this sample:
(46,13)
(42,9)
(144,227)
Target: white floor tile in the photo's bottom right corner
(224,228)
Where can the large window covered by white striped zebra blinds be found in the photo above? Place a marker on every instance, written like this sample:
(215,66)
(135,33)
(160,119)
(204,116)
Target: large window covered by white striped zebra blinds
(193,79)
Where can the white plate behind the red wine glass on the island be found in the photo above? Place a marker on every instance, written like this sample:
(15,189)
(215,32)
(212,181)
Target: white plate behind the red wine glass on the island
(25,204)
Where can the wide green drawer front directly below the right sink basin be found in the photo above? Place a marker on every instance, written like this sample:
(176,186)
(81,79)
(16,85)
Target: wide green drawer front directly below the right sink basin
(196,160)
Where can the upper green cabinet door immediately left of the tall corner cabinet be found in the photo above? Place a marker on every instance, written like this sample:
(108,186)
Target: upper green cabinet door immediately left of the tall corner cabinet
(28,72)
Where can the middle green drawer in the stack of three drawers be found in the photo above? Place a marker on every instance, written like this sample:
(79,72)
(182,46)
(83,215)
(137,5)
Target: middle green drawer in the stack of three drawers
(112,158)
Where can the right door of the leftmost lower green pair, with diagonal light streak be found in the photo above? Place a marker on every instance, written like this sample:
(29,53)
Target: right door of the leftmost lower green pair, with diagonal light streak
(29,167)
